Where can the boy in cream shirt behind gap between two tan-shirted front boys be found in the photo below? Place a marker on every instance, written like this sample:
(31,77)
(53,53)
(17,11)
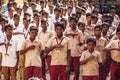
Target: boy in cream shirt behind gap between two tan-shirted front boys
(43,36)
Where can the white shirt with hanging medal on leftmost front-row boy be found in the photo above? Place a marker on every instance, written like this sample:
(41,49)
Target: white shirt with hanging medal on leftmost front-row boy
(11,59)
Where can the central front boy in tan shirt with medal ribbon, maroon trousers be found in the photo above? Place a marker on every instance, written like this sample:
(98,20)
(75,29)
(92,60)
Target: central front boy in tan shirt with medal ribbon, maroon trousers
(60,54)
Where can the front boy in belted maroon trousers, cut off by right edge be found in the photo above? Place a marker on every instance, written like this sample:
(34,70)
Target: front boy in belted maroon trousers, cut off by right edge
(114,47)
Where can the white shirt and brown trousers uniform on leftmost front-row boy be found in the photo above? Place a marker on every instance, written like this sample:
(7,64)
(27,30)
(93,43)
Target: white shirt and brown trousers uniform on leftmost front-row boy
(9,58)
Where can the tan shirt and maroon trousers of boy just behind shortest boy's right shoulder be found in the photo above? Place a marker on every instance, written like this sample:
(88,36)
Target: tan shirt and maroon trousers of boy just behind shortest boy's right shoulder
(100,45)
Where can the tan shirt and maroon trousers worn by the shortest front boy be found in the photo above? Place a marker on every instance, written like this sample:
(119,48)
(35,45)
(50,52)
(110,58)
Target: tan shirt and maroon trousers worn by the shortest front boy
(90,70)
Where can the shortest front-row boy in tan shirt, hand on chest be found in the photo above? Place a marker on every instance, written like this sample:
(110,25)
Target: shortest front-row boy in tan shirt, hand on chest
(89,61)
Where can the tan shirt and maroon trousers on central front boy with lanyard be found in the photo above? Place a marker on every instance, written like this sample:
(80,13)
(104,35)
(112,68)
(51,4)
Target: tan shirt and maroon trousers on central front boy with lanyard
(58,58)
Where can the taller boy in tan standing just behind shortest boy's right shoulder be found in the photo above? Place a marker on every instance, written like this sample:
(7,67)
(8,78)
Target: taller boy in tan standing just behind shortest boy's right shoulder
(101,42)
